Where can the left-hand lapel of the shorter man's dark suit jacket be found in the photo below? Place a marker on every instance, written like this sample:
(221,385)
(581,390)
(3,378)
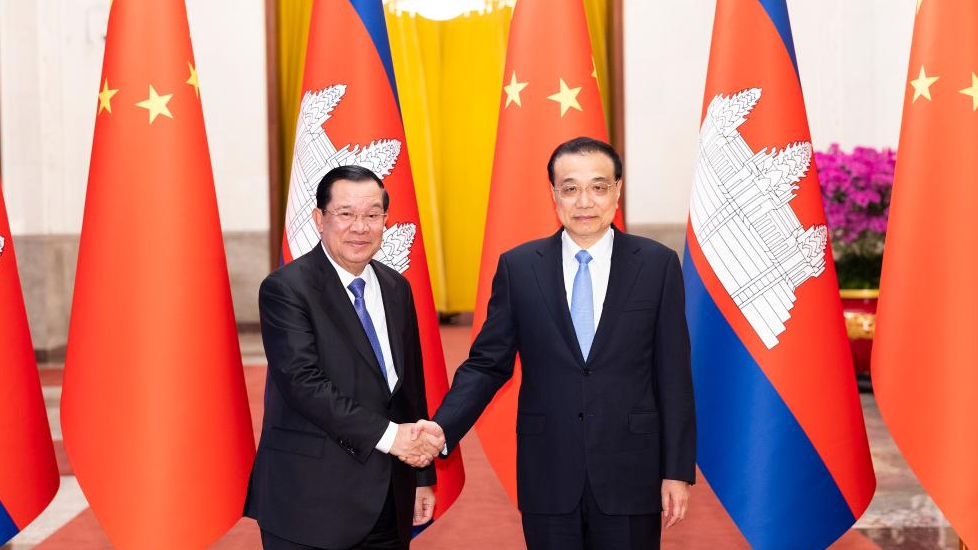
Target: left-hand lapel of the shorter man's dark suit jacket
(338,305)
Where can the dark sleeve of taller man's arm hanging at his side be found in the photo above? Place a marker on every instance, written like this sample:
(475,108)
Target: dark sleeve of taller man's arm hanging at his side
(671,361)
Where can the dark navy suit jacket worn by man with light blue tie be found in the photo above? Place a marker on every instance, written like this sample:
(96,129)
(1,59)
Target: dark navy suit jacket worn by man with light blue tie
(624,419)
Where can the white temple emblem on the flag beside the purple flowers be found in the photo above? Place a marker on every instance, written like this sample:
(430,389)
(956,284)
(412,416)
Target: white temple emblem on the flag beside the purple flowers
(740,215)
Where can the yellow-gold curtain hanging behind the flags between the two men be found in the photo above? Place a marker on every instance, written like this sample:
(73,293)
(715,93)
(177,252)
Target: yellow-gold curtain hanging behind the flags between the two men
(449,80)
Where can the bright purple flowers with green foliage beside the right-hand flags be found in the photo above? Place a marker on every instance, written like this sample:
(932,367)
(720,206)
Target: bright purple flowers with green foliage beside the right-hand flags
(856,196)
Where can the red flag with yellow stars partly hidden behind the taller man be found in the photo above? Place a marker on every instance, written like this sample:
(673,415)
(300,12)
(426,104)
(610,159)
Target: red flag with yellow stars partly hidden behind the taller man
(550,95)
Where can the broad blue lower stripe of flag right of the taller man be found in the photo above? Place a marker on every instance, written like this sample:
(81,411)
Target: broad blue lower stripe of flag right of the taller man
(750,447)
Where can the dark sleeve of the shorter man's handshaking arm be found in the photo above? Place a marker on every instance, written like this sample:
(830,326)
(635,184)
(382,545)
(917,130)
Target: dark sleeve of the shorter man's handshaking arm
(293,366)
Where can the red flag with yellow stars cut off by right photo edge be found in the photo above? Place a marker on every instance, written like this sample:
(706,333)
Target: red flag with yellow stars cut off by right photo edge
(925,361)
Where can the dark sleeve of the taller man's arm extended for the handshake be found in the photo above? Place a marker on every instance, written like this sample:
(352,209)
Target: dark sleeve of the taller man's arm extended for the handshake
(489,365)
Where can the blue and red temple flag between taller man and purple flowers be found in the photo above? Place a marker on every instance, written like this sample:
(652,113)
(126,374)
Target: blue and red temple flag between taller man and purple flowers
(781,437)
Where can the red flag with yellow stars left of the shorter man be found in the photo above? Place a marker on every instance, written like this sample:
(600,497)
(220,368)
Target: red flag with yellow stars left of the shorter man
(154,411)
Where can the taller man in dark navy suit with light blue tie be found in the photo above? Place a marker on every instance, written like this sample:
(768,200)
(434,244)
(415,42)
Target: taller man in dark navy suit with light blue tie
(606,425)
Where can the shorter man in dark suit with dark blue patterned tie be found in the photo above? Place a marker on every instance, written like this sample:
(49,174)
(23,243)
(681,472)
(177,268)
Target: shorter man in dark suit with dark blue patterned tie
(344,376)
